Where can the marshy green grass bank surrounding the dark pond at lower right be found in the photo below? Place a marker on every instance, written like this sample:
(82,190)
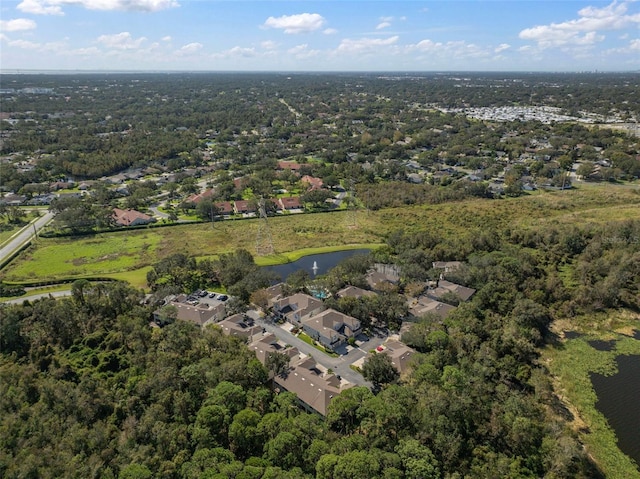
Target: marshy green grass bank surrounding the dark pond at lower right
(570,363)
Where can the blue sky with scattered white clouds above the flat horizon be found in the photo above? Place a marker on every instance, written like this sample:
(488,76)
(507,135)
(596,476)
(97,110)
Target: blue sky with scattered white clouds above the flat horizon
(332,35)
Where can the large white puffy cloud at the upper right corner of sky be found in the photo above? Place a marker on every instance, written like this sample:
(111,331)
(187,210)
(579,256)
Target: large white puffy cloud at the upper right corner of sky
(583,30)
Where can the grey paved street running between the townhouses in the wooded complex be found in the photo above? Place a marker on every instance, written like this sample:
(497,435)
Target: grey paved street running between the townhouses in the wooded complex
(340,365)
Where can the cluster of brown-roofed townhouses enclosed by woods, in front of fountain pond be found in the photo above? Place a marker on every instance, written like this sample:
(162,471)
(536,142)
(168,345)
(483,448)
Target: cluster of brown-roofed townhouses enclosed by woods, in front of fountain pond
(327,362)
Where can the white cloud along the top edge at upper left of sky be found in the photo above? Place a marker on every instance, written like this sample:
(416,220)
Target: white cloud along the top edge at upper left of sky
(54,7)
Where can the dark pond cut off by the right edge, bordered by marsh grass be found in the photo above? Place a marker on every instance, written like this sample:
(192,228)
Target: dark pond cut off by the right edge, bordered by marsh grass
(618,400)
